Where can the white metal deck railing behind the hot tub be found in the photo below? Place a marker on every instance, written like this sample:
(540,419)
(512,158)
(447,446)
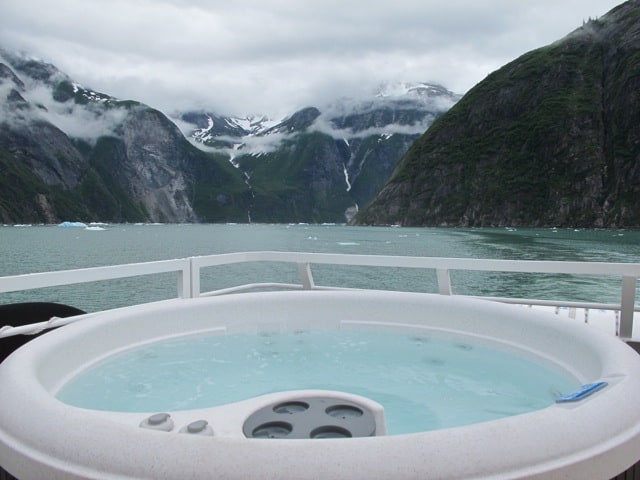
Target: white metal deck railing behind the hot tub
(188,272)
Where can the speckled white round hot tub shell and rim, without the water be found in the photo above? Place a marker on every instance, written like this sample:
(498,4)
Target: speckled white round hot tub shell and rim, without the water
(597,436)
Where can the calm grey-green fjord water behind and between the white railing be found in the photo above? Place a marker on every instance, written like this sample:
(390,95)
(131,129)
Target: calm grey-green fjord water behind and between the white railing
(43,248)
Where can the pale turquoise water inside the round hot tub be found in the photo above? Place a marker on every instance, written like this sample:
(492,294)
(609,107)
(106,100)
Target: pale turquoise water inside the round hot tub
(423,382)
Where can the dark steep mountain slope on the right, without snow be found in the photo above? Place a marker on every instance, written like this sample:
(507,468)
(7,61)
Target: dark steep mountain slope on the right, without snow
(550,139)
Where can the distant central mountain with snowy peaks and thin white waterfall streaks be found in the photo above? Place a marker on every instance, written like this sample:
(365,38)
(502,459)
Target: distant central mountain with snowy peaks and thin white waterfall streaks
(320,163)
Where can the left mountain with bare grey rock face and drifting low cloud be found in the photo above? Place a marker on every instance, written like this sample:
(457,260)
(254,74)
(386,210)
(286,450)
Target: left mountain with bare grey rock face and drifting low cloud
(67,152)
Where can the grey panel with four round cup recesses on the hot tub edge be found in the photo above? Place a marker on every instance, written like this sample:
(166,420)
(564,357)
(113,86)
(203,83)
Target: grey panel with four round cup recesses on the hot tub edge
(311,417)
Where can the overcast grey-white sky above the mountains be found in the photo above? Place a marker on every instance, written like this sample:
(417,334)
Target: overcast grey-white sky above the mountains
(275,56)
